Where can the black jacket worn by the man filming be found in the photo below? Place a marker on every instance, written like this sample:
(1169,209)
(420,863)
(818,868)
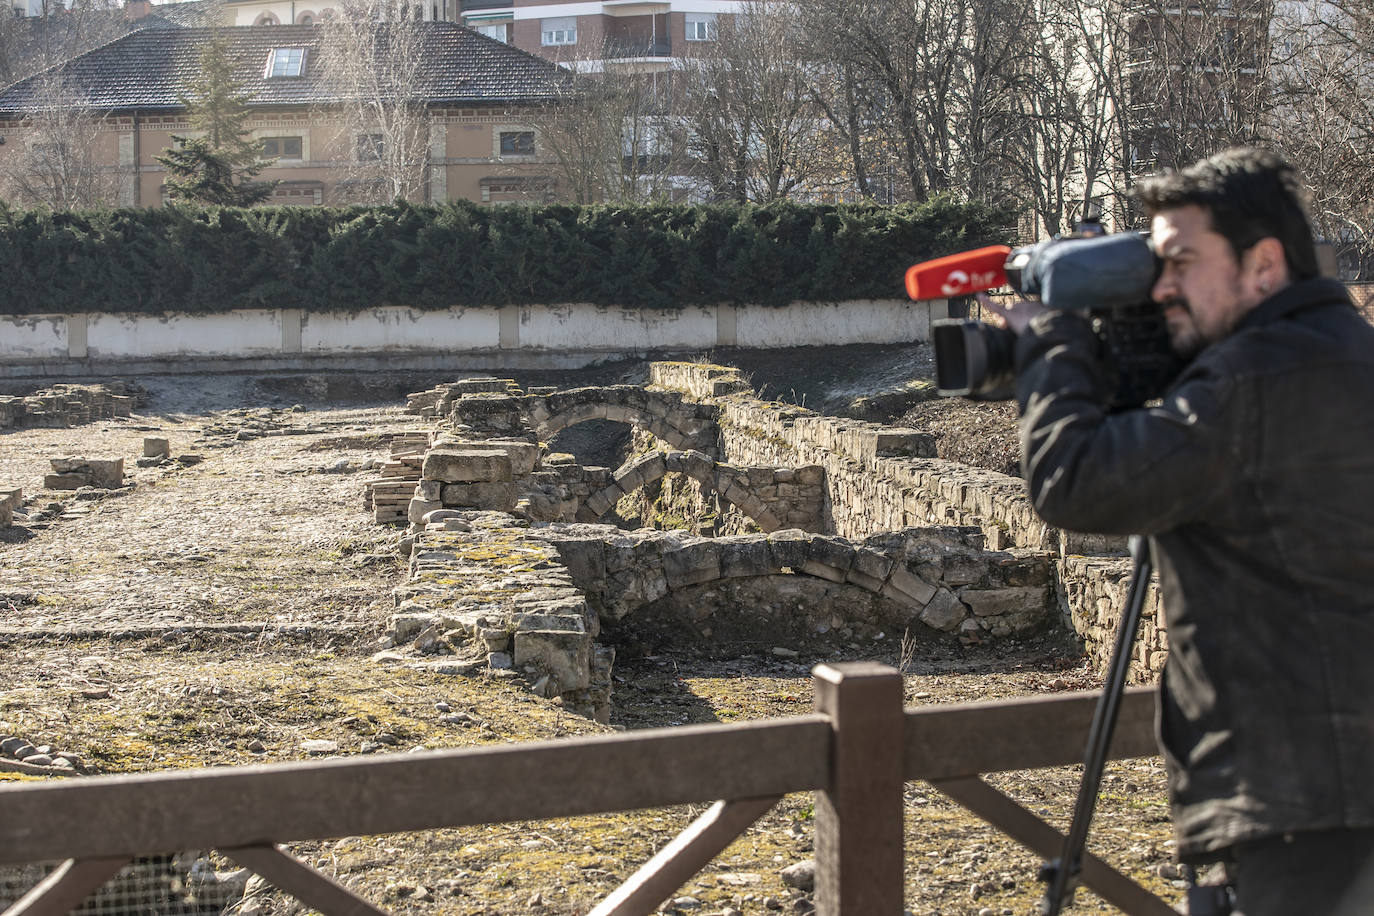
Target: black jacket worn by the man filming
(1255,481)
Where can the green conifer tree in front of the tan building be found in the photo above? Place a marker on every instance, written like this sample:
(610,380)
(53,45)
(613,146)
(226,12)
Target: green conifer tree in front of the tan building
(219,167)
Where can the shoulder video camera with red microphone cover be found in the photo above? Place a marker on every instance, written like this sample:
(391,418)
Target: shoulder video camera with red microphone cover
(1107,278)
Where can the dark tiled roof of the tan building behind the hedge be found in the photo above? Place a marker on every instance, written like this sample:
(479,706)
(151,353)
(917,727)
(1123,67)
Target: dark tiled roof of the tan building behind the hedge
(150,69)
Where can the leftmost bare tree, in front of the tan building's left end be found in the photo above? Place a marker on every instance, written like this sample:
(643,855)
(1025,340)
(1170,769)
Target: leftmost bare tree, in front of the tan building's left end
(57,163)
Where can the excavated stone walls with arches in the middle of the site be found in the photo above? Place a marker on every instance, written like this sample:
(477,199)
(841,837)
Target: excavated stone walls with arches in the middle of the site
(512,566)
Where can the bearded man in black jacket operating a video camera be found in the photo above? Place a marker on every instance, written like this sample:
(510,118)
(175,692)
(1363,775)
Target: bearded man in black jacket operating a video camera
(1254,479)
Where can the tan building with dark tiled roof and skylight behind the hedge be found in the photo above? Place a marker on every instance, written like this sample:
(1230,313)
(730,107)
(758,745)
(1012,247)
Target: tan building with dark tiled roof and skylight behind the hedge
(472,115)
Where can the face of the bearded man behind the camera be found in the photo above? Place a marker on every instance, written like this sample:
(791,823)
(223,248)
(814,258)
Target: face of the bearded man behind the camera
(1203,288)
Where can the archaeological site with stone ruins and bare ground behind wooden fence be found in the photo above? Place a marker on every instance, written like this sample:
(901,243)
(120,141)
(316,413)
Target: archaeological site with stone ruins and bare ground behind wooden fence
(211,575)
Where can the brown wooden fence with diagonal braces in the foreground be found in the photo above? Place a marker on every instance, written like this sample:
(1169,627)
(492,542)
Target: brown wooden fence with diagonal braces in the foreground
(855,752)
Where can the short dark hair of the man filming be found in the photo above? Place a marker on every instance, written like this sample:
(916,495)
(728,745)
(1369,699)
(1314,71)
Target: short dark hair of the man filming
(1251,194)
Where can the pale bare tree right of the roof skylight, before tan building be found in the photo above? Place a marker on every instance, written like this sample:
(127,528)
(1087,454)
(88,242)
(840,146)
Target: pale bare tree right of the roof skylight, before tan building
(373,60)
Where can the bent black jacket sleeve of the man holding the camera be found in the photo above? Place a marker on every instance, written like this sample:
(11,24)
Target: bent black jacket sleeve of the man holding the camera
(1134,472)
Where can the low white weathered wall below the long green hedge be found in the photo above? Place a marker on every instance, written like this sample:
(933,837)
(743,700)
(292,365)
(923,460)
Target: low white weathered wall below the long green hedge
(395,337)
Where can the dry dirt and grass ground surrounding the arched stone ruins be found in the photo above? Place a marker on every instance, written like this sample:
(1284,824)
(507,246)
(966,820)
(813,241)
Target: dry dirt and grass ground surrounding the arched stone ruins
(226,613)
